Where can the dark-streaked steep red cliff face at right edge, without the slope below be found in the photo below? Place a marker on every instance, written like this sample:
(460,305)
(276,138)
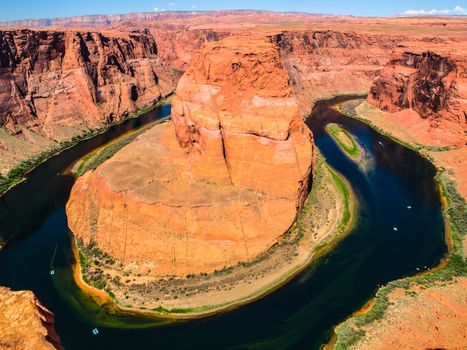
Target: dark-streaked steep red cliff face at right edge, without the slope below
(434,86)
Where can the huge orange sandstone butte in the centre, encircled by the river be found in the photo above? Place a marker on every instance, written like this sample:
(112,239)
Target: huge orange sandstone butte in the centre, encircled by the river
(218,185)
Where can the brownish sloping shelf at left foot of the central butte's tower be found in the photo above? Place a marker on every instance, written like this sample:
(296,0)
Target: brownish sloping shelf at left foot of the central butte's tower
(155,169)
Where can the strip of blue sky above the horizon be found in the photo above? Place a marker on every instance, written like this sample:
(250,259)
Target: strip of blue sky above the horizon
(20,9)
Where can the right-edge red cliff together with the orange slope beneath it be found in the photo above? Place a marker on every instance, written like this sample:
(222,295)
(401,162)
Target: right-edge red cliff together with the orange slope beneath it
(422,99)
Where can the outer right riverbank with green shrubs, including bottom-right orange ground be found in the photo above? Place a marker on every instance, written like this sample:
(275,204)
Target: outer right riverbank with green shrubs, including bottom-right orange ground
(400,304)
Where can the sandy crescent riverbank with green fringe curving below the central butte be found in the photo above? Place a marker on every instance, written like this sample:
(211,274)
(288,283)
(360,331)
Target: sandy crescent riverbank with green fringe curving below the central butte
(328,215)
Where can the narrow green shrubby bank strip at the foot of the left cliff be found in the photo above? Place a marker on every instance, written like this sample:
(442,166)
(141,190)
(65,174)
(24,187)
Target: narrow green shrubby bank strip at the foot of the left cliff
(19,173)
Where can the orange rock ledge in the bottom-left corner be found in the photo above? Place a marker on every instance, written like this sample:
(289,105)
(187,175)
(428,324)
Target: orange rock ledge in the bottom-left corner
(25,323)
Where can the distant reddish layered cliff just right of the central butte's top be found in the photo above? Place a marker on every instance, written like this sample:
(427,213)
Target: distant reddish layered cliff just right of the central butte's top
(326,63)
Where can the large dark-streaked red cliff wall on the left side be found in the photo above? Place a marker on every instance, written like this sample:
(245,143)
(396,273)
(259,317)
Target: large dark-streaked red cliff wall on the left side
(56,84)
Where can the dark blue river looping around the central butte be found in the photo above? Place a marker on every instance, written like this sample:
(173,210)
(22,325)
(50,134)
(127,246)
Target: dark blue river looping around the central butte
(298,316)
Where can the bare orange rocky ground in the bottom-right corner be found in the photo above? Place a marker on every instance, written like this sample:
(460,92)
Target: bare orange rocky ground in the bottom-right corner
(432,318)
